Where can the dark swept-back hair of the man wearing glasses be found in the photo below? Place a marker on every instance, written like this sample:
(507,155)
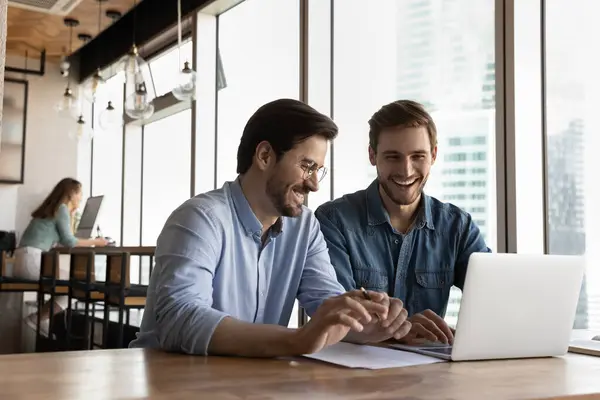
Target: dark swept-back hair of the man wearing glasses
(283,123)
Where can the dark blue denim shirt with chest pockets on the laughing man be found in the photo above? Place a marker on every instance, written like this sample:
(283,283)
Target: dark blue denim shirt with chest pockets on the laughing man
(418,267)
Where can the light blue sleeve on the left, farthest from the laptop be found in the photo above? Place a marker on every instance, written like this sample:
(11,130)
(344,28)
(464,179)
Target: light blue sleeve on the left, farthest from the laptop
(187,254)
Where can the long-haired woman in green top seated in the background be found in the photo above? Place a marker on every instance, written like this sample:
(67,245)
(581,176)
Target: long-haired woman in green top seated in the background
(52,224)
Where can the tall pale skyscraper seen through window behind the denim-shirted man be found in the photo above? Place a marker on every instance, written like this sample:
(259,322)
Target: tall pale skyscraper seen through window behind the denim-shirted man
(445,60)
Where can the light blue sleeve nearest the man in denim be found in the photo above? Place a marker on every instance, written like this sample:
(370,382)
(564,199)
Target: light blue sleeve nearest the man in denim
(318,280)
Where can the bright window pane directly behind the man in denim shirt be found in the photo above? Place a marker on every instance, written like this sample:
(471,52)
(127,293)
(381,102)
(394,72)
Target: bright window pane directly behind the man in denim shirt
(440,53)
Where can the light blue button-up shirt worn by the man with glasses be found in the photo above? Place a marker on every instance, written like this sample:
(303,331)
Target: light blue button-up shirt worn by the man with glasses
(210,263)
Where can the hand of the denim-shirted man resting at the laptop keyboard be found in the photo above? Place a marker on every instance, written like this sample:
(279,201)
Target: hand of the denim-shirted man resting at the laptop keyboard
(430,327)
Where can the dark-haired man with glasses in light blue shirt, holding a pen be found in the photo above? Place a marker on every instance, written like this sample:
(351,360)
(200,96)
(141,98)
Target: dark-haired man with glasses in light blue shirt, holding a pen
(231,262)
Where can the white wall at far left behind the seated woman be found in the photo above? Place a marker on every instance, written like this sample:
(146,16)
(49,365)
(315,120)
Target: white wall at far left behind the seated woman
(50,154)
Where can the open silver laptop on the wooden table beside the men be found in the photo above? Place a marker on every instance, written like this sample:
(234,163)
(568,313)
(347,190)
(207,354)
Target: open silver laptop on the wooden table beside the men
(513,306)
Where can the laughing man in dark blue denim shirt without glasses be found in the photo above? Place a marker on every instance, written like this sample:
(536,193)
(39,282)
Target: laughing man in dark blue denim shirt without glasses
(392,237)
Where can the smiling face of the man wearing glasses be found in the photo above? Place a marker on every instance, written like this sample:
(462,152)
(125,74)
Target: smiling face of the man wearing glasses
(286,185)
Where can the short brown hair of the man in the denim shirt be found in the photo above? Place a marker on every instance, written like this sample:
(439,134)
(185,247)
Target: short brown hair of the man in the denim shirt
(405,113)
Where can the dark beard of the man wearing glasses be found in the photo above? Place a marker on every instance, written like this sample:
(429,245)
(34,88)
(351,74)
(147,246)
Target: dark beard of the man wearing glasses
(287,199)
